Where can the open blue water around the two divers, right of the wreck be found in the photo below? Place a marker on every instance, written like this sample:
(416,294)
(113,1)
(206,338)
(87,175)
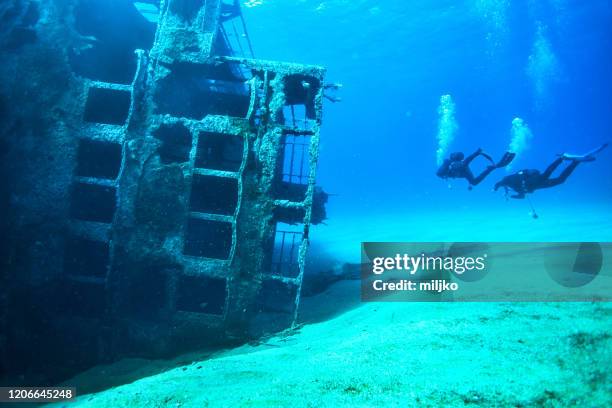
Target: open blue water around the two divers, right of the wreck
(396,58)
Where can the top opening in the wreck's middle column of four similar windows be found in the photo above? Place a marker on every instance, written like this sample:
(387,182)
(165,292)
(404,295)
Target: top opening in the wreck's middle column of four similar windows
(219,151)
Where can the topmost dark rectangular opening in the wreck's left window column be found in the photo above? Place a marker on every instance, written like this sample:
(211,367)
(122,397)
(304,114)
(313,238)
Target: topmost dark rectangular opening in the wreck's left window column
(109,106)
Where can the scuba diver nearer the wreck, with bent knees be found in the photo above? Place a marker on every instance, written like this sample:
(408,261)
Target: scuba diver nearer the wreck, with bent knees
(458,166)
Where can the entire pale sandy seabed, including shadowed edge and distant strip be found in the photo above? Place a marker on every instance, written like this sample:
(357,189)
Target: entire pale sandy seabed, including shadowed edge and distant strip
(354,354)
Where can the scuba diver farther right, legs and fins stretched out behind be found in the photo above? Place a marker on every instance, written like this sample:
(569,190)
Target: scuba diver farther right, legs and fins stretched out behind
(528,180)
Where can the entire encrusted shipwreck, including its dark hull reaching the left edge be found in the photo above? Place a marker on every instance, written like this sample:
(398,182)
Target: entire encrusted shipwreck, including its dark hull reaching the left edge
(169,191)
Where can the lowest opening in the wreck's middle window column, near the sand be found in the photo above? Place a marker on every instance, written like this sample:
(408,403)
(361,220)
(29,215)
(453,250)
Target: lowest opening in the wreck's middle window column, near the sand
(201,294)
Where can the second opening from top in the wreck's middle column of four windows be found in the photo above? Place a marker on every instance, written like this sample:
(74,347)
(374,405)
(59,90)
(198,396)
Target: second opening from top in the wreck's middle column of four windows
(214,195)
